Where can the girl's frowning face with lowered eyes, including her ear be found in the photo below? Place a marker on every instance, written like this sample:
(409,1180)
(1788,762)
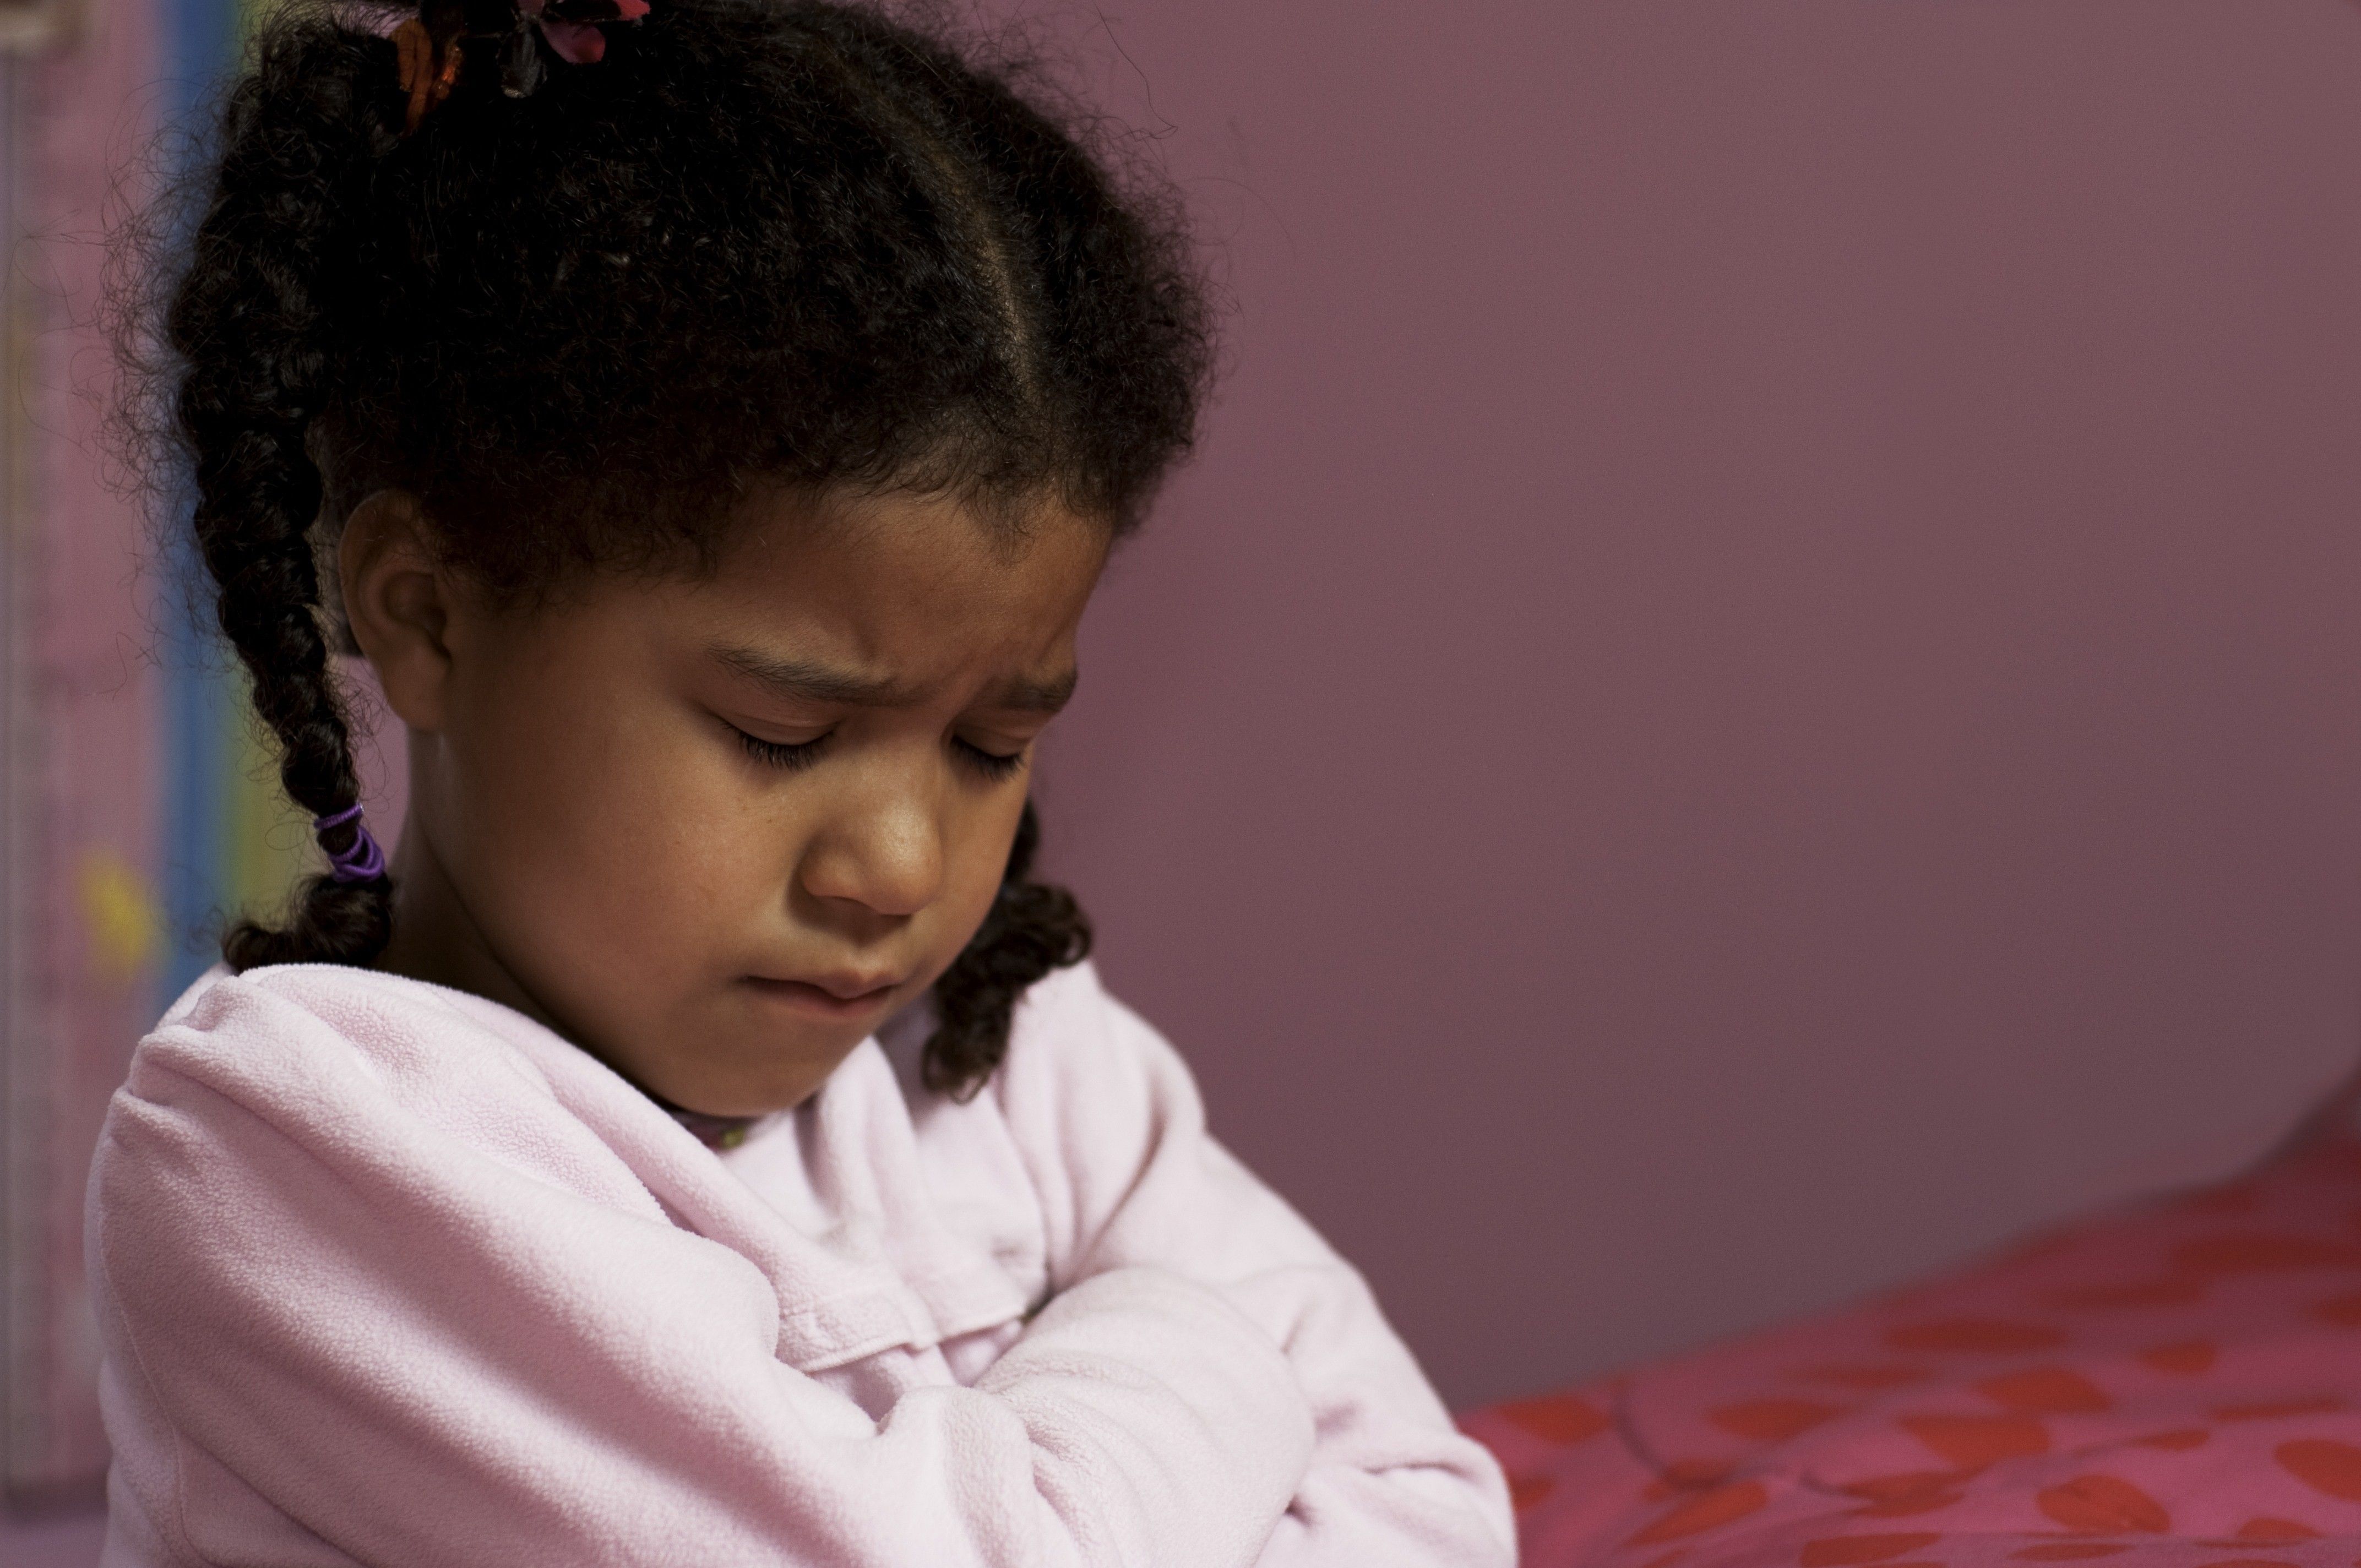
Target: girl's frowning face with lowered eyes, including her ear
(717,830)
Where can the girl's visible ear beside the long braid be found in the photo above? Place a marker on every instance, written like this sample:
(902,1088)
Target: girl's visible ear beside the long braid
(400,603)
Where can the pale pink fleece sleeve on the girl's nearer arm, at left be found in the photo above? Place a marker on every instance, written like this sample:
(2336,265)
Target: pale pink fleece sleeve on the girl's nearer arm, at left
(351,1324)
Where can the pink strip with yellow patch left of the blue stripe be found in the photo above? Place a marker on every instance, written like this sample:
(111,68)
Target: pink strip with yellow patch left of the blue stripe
(79,762)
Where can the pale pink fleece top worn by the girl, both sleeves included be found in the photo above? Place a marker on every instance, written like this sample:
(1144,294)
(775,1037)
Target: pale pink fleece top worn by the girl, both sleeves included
(395,1276)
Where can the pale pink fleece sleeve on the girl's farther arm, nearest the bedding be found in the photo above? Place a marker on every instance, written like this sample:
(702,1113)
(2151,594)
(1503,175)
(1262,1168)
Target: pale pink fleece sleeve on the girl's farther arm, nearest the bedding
(1116,1139)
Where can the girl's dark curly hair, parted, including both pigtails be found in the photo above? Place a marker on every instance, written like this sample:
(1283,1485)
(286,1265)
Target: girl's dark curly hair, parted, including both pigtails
(759,242)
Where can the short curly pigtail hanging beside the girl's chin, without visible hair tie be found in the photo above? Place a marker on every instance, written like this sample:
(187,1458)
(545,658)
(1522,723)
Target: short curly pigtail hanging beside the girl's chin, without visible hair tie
(1031,932)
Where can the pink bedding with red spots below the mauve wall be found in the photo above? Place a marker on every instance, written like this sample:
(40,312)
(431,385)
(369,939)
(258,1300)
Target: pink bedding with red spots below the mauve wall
(2171,1387)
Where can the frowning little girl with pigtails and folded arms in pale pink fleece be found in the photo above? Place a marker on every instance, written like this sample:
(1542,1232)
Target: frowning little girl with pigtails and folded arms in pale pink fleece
(700,1142)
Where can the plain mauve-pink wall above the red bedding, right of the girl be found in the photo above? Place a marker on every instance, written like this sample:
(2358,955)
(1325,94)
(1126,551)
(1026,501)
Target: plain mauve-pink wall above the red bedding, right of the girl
(1760,681)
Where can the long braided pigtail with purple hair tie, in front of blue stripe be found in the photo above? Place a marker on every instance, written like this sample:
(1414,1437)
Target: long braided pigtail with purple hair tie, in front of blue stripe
(251,320)
